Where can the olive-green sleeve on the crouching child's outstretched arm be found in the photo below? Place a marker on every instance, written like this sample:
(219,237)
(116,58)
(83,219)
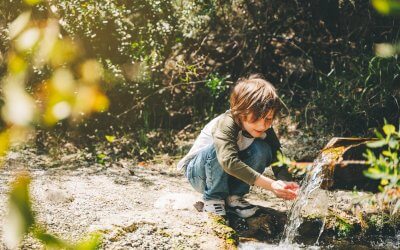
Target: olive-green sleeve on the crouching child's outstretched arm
(225,140)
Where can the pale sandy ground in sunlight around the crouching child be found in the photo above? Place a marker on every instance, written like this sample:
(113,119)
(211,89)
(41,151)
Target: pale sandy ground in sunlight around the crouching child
(142,207)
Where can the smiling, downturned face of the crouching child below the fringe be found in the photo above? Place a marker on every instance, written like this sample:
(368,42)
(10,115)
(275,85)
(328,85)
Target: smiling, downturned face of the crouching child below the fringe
(256,128)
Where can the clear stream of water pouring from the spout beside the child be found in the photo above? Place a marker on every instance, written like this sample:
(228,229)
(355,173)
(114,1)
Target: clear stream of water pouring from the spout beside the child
(310,184)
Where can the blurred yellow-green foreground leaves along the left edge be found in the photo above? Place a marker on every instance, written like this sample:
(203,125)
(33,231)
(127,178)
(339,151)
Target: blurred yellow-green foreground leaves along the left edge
(46,80)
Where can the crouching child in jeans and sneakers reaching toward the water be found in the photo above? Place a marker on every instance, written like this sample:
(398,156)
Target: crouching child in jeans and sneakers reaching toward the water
(233,150)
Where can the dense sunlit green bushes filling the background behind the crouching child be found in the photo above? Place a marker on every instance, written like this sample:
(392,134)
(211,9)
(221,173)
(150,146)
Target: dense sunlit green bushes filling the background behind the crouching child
(170,64)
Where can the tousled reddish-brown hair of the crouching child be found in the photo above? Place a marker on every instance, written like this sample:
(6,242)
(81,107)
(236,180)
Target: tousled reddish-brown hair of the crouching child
(253,95)
